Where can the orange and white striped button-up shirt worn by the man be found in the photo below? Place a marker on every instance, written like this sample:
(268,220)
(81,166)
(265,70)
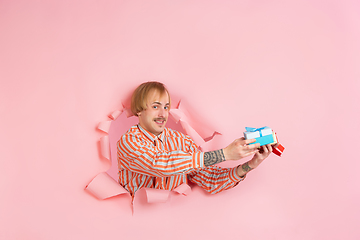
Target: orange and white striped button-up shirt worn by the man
(167,161)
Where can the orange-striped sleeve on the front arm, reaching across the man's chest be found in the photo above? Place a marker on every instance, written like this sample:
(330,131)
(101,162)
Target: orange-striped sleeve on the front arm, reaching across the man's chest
(138,155)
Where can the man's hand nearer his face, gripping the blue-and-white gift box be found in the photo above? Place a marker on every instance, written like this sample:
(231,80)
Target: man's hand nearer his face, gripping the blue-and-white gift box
(240,148)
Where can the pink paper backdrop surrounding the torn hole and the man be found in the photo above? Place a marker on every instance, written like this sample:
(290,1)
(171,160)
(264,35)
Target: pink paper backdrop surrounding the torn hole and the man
(291,65)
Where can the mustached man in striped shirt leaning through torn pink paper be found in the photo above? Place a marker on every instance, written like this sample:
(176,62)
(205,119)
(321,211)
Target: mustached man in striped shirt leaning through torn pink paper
(153,156)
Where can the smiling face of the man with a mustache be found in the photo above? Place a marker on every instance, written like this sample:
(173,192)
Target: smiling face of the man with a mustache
(154,118)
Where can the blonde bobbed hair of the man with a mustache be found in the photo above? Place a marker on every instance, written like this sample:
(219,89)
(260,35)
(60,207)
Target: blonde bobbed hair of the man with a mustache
(140,95)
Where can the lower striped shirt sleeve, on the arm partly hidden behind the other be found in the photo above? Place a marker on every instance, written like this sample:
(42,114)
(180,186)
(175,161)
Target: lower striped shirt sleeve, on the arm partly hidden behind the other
(214,179)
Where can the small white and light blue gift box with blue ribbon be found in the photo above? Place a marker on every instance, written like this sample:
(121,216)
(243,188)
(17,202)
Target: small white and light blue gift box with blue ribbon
(262,135)
